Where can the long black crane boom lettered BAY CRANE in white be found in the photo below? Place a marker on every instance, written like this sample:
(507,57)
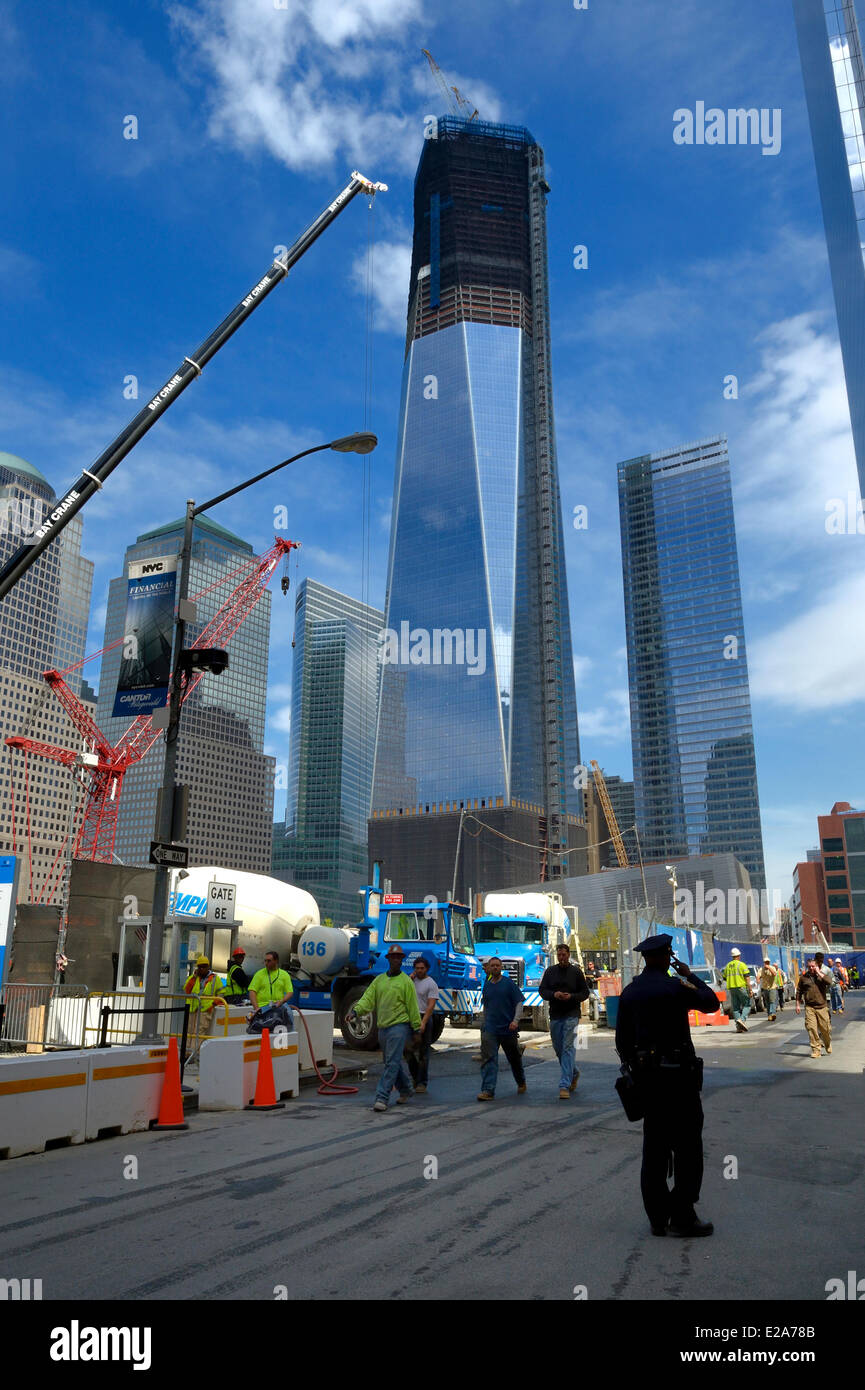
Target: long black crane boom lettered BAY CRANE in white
(92,479)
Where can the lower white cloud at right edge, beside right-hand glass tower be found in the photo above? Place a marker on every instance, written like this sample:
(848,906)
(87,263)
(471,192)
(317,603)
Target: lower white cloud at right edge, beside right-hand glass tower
(817,661)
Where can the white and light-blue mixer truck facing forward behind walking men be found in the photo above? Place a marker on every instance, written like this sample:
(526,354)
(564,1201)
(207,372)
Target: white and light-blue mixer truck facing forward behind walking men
(522,929)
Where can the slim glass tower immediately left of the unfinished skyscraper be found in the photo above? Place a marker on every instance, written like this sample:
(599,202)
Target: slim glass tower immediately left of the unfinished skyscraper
(323,844)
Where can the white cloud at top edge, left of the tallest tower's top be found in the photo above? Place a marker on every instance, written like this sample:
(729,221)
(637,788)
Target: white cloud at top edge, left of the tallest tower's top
(280,77)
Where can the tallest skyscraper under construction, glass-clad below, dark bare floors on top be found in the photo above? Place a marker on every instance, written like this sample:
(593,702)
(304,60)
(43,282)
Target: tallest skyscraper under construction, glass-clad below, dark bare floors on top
(478,712)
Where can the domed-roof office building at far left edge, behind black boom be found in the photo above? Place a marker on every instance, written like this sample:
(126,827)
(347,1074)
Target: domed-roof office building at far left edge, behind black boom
(44,625)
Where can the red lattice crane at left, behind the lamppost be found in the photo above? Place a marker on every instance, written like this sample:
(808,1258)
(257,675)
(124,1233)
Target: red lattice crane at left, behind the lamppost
(95,839)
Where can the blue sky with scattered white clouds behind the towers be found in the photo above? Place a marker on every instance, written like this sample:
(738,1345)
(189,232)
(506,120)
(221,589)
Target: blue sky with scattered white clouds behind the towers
(704,262)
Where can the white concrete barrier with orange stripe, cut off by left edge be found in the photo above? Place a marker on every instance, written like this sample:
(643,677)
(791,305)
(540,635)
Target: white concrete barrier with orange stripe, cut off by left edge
(44,1100)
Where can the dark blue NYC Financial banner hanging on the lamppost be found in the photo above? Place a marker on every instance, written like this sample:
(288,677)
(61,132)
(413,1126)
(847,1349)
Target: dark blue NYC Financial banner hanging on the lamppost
(145,668)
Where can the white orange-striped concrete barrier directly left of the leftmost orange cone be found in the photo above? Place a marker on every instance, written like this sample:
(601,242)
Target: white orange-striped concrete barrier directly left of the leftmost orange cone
(124,1089)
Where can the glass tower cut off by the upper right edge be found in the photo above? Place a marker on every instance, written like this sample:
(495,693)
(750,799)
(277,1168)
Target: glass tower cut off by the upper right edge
(831,55)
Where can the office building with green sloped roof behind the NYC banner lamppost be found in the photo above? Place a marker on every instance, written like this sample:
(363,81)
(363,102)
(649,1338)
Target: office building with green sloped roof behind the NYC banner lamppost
(220,757)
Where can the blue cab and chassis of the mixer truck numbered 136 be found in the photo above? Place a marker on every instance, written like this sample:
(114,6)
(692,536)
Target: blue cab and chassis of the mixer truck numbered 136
(442,932)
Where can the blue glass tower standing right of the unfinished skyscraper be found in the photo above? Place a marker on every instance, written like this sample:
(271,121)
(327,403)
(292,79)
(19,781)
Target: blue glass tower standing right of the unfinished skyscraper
(693,742)
